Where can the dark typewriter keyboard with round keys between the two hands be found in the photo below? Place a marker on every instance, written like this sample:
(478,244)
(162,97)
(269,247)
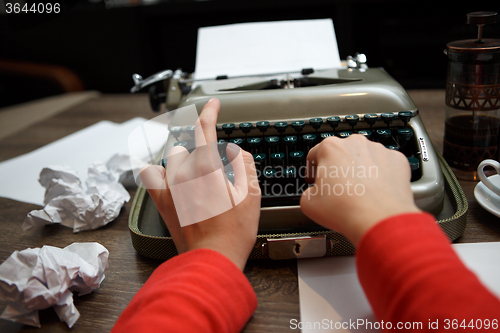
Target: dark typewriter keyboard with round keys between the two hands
(280,148)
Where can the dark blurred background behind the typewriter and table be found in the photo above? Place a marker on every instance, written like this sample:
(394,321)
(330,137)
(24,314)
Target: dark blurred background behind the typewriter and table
(105,45)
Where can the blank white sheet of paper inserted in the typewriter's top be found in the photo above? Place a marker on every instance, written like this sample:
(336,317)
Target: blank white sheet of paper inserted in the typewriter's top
(266,47)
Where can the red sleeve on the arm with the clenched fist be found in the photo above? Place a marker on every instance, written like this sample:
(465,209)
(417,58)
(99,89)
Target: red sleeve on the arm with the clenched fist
(410,273)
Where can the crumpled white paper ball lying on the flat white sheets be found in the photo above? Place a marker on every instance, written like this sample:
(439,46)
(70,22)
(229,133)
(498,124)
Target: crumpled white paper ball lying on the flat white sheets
(79,207)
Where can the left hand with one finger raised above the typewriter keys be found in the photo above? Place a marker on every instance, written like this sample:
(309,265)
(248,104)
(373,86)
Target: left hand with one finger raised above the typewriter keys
(224,217)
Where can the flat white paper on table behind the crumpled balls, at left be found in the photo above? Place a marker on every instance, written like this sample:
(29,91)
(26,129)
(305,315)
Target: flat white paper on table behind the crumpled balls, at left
(19,176)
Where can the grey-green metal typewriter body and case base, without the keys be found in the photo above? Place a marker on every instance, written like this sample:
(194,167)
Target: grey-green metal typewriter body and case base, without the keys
(284,232)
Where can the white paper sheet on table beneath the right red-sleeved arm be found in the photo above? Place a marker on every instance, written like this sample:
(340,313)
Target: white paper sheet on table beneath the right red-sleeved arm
(329,290)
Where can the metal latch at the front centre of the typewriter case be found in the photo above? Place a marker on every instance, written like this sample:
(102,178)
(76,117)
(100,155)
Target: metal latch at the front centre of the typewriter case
(295,247)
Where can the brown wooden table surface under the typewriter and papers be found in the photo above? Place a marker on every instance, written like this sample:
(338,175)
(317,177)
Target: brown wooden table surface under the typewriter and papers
(275,282)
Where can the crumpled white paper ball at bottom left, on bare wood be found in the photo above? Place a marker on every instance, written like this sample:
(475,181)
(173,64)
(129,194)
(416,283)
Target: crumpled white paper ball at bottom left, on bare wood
(39,278)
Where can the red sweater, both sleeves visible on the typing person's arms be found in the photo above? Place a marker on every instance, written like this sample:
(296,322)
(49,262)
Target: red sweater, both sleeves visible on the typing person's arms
(398,259)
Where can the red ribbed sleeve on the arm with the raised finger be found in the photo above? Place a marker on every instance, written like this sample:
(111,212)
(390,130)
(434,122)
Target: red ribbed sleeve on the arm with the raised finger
(198,291)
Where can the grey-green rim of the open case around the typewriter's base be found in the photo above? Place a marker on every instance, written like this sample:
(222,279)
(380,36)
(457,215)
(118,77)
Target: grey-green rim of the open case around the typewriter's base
(163,248)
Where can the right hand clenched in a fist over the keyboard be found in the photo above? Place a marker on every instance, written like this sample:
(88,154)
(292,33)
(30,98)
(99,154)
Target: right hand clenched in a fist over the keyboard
(357,183)
